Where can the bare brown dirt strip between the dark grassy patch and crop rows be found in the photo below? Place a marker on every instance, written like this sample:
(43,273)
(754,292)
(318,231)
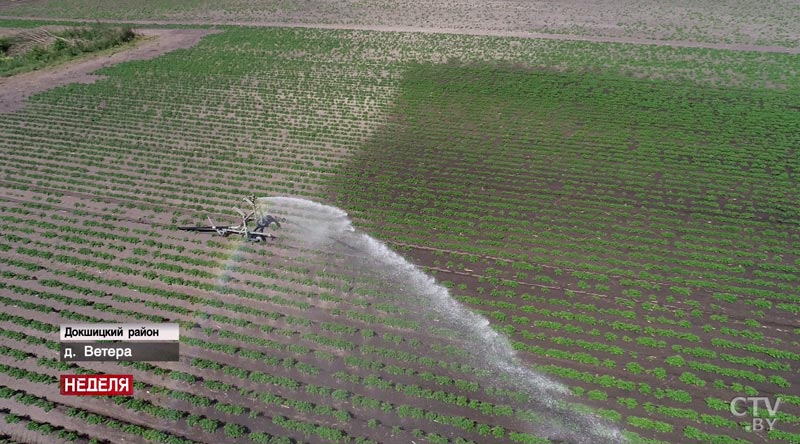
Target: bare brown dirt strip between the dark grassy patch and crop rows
(15,89)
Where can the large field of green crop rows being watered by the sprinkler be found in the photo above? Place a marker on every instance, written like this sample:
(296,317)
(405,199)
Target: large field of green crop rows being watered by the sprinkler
(612,228)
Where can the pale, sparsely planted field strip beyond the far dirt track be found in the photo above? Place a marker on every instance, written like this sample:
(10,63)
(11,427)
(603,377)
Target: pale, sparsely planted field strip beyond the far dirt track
(736,22)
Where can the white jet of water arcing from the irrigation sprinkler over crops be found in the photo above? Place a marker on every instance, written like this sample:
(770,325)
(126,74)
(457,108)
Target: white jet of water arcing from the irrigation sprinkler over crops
(328,231)
